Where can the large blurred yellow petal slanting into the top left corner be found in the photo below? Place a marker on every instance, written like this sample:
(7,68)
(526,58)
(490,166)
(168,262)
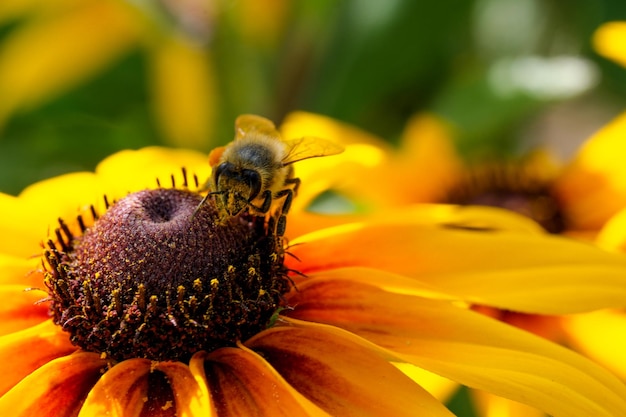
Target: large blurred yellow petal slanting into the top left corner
(48,56)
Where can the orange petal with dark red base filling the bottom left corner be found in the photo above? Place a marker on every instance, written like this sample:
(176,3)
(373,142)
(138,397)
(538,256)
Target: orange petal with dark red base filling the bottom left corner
(56,389)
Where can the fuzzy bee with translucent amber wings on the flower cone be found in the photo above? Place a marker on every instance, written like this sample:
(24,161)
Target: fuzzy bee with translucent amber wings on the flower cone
(255,171)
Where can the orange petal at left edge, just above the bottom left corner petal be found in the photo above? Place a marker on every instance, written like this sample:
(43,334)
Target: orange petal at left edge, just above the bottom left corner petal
(27,350)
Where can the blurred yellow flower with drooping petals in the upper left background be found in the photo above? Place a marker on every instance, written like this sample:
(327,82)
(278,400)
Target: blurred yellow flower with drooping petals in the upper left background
(57,46)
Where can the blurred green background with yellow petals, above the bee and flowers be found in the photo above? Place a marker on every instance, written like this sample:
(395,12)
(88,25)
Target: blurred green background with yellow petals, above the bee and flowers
(80,79)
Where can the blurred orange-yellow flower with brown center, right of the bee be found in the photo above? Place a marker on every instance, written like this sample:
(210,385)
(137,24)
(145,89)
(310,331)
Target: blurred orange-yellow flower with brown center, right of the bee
(574,199)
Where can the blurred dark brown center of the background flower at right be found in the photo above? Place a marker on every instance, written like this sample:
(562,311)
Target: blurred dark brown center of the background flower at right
(512,188)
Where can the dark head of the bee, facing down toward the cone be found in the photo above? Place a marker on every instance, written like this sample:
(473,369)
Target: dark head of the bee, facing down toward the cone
(236,187)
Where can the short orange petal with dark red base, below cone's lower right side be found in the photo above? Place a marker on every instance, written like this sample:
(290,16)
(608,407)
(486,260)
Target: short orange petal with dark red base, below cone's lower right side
(243,384)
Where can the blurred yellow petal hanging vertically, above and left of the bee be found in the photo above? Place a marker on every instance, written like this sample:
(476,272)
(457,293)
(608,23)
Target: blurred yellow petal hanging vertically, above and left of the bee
(184,92)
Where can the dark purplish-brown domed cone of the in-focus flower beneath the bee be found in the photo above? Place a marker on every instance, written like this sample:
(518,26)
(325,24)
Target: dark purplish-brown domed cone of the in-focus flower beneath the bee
(151,279)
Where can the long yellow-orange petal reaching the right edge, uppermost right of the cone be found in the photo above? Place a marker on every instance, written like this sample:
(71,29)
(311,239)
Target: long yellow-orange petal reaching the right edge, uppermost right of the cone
(512,270)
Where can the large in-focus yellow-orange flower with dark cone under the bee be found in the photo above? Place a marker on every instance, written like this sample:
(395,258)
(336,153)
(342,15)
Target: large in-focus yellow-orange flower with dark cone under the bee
(367,297)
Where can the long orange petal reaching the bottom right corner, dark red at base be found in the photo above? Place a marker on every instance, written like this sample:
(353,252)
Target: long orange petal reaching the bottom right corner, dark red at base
(464,346)
